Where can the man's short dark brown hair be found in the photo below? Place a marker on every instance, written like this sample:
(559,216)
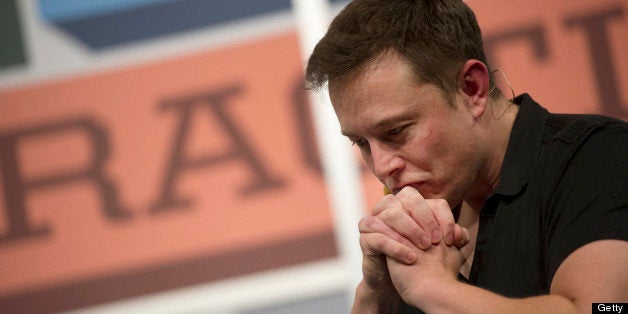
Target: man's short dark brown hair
(436,37)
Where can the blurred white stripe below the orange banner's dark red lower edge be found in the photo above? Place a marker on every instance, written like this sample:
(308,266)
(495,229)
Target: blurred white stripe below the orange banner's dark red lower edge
(251,292)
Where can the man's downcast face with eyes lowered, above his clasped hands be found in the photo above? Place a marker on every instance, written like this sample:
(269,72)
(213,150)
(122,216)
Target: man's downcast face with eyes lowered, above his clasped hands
(408,133)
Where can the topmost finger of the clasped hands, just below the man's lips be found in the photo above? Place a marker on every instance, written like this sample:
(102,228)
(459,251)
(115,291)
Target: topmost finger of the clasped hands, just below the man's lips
(414,202)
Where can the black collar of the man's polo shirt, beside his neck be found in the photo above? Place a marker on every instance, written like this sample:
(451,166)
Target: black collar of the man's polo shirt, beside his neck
(523,146)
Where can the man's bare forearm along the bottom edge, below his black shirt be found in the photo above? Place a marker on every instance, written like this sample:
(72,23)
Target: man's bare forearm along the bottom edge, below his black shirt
(458,297)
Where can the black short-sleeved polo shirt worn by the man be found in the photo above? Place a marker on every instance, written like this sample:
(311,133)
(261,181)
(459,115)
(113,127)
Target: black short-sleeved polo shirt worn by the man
(563,184)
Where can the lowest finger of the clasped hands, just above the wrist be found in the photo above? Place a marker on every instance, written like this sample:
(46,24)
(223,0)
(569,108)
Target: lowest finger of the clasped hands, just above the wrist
(375,244)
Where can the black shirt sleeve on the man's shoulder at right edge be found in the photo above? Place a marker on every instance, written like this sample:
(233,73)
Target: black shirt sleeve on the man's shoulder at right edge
(590,202)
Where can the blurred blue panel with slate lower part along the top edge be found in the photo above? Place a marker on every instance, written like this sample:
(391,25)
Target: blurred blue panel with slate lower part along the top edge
(107,23)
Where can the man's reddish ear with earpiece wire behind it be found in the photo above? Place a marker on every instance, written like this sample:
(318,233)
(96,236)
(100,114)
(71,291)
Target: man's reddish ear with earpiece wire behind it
(475,86)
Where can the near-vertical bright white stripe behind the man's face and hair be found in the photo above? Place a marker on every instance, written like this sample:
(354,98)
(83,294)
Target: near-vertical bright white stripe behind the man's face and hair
(340,168)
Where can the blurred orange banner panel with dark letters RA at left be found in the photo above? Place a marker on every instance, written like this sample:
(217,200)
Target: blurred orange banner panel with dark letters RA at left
(191,159)
